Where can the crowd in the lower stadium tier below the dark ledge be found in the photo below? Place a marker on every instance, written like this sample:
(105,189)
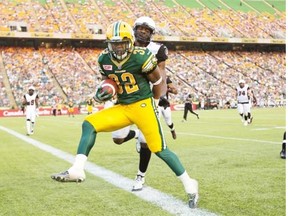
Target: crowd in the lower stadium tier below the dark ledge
(212,74)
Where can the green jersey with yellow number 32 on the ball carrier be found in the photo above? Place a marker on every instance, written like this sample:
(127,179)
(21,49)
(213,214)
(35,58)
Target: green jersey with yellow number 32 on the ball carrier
(130,74)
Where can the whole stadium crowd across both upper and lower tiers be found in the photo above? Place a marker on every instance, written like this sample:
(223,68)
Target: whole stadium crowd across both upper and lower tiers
(61,74)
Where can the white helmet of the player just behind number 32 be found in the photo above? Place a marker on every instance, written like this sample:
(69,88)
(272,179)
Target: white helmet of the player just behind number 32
(146,22)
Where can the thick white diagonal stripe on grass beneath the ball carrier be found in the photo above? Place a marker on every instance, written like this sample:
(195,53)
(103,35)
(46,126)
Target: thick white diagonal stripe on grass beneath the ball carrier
(156,197)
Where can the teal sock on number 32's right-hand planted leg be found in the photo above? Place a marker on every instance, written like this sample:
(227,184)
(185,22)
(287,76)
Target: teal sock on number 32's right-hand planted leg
(172,161)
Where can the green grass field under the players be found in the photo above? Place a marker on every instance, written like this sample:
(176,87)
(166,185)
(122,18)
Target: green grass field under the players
(238,168)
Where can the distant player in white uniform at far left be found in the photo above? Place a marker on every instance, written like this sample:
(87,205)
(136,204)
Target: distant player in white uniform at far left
(31,103)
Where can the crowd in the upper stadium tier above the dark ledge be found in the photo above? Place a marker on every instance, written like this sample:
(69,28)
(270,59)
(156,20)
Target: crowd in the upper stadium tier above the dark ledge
(78,16)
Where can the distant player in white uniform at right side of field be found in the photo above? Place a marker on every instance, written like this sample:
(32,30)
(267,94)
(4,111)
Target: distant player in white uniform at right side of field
(243,94)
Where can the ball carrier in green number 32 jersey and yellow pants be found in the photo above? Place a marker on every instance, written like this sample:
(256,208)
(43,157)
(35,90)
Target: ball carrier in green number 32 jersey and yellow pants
(133,69)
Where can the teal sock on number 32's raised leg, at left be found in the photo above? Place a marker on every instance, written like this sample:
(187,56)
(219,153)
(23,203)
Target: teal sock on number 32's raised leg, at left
(88,138)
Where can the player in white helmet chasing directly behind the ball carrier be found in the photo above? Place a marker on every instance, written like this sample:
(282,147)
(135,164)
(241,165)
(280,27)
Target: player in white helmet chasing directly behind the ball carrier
(144,27)
